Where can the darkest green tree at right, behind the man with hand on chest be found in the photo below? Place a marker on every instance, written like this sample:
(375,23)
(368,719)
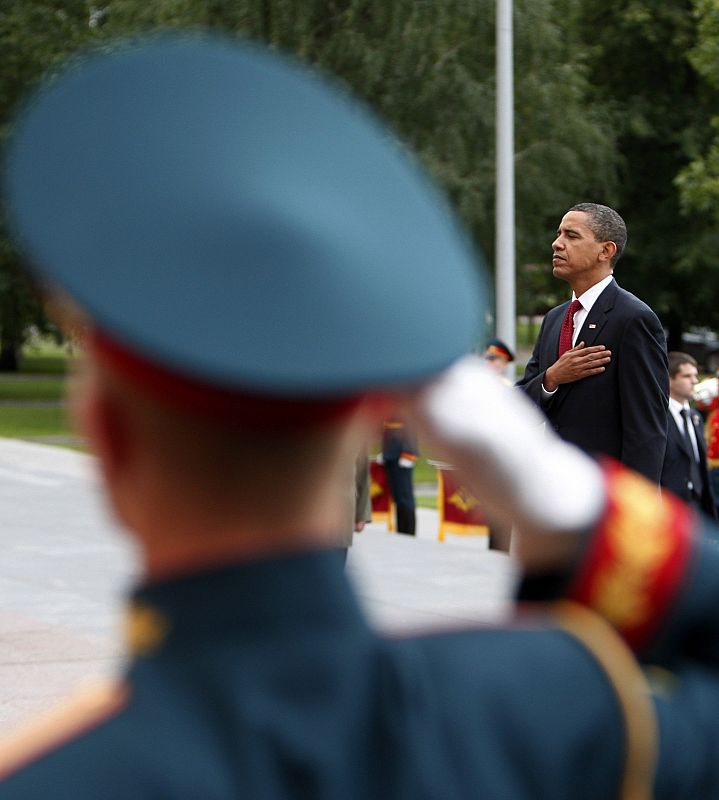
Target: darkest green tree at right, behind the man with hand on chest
(661,110)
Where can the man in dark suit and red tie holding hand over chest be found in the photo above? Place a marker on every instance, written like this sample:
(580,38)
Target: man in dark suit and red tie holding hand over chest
(599,366)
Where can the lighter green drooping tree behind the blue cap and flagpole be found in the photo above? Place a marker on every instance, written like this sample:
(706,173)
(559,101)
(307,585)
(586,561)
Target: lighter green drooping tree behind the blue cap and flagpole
(426,67)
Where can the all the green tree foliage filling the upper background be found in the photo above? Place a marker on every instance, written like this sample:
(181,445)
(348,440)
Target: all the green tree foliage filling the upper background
(609,107)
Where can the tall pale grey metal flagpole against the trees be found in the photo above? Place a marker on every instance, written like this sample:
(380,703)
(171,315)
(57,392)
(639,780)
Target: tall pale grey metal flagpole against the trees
(505,226)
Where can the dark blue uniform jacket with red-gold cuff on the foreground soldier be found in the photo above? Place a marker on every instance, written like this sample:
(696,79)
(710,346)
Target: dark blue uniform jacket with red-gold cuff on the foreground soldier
(263,680)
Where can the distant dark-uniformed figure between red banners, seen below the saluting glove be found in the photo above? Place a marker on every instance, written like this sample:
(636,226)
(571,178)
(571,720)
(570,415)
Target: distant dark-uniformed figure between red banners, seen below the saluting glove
(399,455)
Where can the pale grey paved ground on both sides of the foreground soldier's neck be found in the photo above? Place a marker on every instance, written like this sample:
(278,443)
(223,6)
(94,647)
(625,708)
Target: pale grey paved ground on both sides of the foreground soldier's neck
(65,568)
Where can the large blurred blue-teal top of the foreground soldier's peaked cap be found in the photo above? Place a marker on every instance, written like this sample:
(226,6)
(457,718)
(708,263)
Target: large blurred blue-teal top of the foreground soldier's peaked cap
(228,213)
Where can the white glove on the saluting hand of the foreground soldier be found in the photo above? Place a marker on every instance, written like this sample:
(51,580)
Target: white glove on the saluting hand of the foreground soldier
(497,438)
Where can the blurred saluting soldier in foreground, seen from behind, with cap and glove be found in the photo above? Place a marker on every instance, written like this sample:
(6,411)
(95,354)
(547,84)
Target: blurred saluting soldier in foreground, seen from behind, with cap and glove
(231,226)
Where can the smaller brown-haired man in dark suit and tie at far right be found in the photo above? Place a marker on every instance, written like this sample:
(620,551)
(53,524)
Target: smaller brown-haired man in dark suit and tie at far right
(685,467)
